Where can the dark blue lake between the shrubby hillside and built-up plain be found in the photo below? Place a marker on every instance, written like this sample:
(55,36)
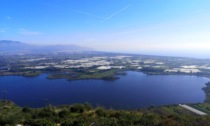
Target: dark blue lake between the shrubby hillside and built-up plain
(132,91)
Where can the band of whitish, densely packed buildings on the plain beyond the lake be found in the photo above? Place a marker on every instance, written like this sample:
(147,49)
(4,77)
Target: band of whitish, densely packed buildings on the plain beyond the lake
(116,62)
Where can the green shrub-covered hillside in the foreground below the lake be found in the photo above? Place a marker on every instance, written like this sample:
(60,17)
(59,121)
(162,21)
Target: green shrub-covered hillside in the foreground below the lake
(85,115)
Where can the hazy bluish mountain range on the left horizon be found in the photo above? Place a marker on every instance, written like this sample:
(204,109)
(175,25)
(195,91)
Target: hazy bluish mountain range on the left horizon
(9,46)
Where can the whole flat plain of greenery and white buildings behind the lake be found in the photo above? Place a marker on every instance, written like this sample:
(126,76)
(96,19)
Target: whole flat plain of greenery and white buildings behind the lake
(99,65)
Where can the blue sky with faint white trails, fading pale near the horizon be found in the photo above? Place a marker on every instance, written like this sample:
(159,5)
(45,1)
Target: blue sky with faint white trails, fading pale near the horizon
(160,27)
